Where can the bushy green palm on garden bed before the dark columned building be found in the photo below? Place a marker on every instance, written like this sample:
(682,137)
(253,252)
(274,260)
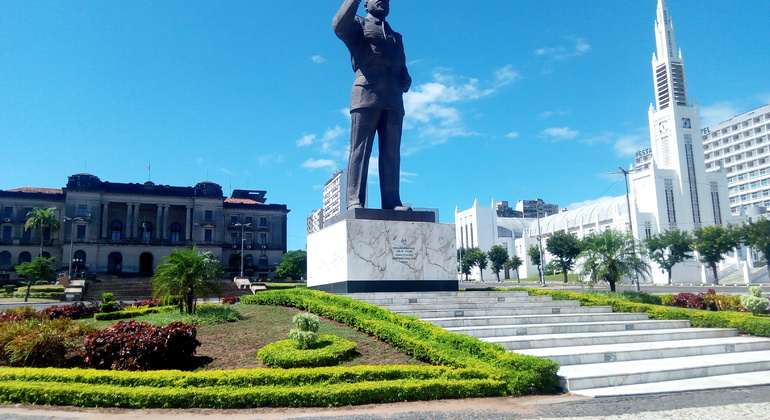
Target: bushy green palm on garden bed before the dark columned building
(189,274)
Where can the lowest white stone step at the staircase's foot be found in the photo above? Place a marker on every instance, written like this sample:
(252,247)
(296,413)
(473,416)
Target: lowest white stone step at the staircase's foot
(735,380)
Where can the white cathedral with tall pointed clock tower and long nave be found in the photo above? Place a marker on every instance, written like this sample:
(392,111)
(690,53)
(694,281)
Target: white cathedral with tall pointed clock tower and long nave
(669,185)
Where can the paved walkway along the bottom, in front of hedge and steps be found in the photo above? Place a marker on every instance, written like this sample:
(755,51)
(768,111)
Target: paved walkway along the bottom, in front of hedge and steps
(741,403)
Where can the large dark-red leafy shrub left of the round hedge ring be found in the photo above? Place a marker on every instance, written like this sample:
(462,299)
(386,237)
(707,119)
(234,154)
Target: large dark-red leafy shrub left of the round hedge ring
(132,345)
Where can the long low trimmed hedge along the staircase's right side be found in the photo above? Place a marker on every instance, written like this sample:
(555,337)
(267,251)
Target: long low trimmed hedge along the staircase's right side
(744,322)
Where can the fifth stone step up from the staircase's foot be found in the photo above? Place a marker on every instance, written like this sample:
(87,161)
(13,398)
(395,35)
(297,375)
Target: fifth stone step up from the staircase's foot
(568,328)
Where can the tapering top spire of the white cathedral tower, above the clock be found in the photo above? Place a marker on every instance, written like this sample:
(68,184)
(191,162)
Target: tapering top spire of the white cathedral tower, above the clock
(668,65)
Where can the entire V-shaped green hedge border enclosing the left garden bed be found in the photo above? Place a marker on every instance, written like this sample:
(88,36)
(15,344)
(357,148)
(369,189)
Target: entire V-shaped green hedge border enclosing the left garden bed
(464,367)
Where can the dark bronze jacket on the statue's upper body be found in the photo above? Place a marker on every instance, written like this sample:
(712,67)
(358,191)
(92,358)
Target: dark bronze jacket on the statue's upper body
(377,56)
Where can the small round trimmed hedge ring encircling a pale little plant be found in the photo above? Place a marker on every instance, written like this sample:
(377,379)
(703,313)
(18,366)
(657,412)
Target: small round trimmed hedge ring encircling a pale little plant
(328,350)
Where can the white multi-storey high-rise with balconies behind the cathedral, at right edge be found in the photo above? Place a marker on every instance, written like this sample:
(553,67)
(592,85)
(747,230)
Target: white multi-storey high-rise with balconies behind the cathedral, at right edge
(741,146)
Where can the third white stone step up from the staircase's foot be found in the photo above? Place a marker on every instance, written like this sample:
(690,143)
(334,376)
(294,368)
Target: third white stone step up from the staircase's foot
(566,356)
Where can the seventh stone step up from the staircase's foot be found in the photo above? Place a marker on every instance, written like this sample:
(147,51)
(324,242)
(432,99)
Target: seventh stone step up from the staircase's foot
(427,315)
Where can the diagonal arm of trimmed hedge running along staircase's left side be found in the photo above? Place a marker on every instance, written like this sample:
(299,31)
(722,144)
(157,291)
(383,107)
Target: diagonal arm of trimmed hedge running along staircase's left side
(423,340)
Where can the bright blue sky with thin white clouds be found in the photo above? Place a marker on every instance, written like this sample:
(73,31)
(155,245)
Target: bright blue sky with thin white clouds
(511,99)
